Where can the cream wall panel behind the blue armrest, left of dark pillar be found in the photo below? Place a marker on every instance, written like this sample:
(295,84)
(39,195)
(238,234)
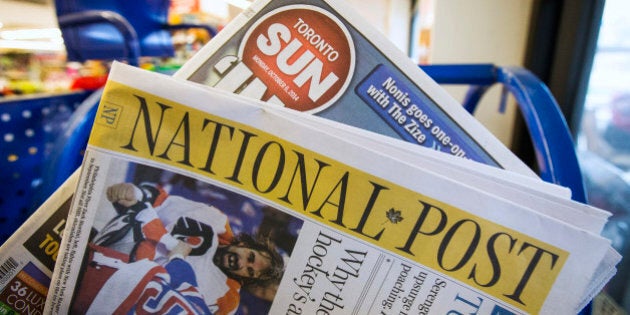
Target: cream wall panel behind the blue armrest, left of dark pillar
(483,31)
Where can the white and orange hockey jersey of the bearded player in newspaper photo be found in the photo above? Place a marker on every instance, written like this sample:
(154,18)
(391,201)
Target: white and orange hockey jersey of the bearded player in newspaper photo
(157,223)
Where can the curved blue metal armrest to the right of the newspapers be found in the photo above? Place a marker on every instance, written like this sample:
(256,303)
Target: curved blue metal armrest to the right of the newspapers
(557,160)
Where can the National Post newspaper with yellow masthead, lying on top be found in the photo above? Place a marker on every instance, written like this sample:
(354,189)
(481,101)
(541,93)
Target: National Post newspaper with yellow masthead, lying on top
(194,200)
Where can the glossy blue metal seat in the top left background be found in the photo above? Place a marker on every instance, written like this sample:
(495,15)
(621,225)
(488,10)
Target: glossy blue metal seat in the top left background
(118,29)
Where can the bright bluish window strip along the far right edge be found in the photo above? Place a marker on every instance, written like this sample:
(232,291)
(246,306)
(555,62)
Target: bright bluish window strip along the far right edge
(603,140)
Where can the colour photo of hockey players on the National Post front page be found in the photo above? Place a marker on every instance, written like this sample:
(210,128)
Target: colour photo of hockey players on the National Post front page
(175,245)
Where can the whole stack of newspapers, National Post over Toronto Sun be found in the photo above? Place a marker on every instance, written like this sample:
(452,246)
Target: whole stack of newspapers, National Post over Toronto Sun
(300,164)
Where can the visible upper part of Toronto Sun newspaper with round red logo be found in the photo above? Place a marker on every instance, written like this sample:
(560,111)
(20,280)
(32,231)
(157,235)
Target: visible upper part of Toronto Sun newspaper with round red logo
(321,57)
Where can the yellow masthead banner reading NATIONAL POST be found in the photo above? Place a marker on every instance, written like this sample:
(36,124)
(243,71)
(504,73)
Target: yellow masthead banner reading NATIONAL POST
(506,264)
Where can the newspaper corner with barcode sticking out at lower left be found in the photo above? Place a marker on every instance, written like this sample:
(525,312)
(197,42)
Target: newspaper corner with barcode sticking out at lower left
(27,258)
